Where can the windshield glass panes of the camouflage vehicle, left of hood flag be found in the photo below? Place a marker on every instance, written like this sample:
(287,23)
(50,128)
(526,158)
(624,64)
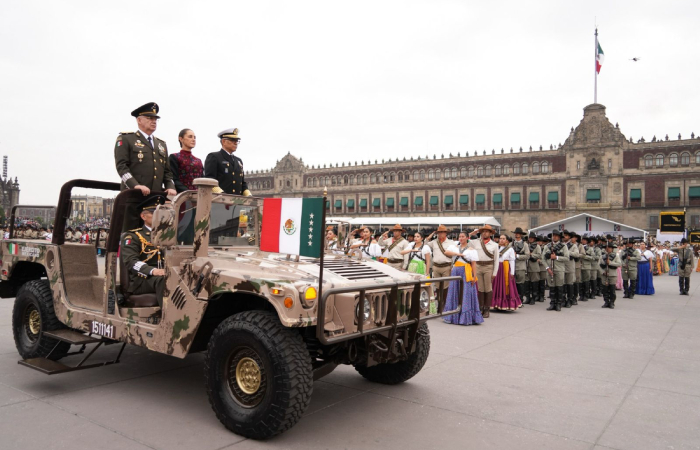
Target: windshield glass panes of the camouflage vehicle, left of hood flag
(231,225)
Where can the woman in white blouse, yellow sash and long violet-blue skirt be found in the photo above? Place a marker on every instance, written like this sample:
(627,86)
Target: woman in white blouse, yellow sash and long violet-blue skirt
(463,265)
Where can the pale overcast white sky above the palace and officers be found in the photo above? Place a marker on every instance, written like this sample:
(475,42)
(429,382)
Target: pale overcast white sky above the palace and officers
(331,81)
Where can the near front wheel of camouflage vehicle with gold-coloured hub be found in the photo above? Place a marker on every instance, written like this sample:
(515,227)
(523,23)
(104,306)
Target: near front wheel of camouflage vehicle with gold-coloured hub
(258,375)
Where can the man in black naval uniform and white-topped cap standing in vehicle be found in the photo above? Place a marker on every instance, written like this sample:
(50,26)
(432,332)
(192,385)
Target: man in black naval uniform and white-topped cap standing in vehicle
(225,167)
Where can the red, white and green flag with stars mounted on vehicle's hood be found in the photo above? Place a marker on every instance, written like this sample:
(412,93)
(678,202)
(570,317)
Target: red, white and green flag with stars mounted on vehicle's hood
(293,226)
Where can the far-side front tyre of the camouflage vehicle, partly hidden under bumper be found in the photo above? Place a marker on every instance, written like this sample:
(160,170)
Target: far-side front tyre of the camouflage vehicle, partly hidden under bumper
(395,373)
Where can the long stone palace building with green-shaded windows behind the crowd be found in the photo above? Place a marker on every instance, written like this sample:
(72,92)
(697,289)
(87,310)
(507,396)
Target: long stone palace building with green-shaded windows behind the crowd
(597,171)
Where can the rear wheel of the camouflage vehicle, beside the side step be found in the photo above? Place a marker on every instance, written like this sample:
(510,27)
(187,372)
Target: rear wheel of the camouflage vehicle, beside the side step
(33,314)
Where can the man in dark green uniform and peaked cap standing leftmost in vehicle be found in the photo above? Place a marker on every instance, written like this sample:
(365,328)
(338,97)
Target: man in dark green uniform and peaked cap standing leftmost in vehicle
(141,158)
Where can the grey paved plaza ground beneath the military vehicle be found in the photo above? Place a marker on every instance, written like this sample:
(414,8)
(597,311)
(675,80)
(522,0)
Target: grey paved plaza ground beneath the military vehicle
(584,378)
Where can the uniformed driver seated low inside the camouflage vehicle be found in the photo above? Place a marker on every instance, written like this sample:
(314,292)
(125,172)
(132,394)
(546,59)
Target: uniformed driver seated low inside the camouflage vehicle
(141,258)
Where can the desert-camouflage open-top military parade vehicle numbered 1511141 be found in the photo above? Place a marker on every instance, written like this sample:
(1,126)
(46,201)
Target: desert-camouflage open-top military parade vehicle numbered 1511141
(269,325)
